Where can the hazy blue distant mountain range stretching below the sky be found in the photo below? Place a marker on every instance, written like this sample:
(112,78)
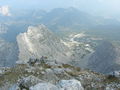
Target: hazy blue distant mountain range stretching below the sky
(59,20)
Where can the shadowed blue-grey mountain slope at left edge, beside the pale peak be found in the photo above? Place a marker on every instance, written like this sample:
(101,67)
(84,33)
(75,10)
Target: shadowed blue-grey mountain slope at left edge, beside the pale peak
(8,53)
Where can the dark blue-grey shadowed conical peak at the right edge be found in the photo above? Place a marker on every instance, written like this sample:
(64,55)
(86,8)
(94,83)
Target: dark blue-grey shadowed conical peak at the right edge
(105,59)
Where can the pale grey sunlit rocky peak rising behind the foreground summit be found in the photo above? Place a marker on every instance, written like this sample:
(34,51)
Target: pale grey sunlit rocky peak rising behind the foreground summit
(38,41)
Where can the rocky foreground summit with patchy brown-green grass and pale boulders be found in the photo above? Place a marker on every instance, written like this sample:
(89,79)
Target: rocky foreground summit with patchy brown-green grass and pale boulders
(47,76)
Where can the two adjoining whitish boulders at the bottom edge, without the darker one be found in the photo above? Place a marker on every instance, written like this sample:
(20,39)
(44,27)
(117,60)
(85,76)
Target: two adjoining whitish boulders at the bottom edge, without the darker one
(62,85)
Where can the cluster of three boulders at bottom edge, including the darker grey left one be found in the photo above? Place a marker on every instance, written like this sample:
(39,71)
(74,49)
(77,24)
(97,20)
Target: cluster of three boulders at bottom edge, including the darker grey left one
(33,83)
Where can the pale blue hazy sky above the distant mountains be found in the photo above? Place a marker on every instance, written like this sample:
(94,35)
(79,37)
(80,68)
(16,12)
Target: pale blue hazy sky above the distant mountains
(107,8)
